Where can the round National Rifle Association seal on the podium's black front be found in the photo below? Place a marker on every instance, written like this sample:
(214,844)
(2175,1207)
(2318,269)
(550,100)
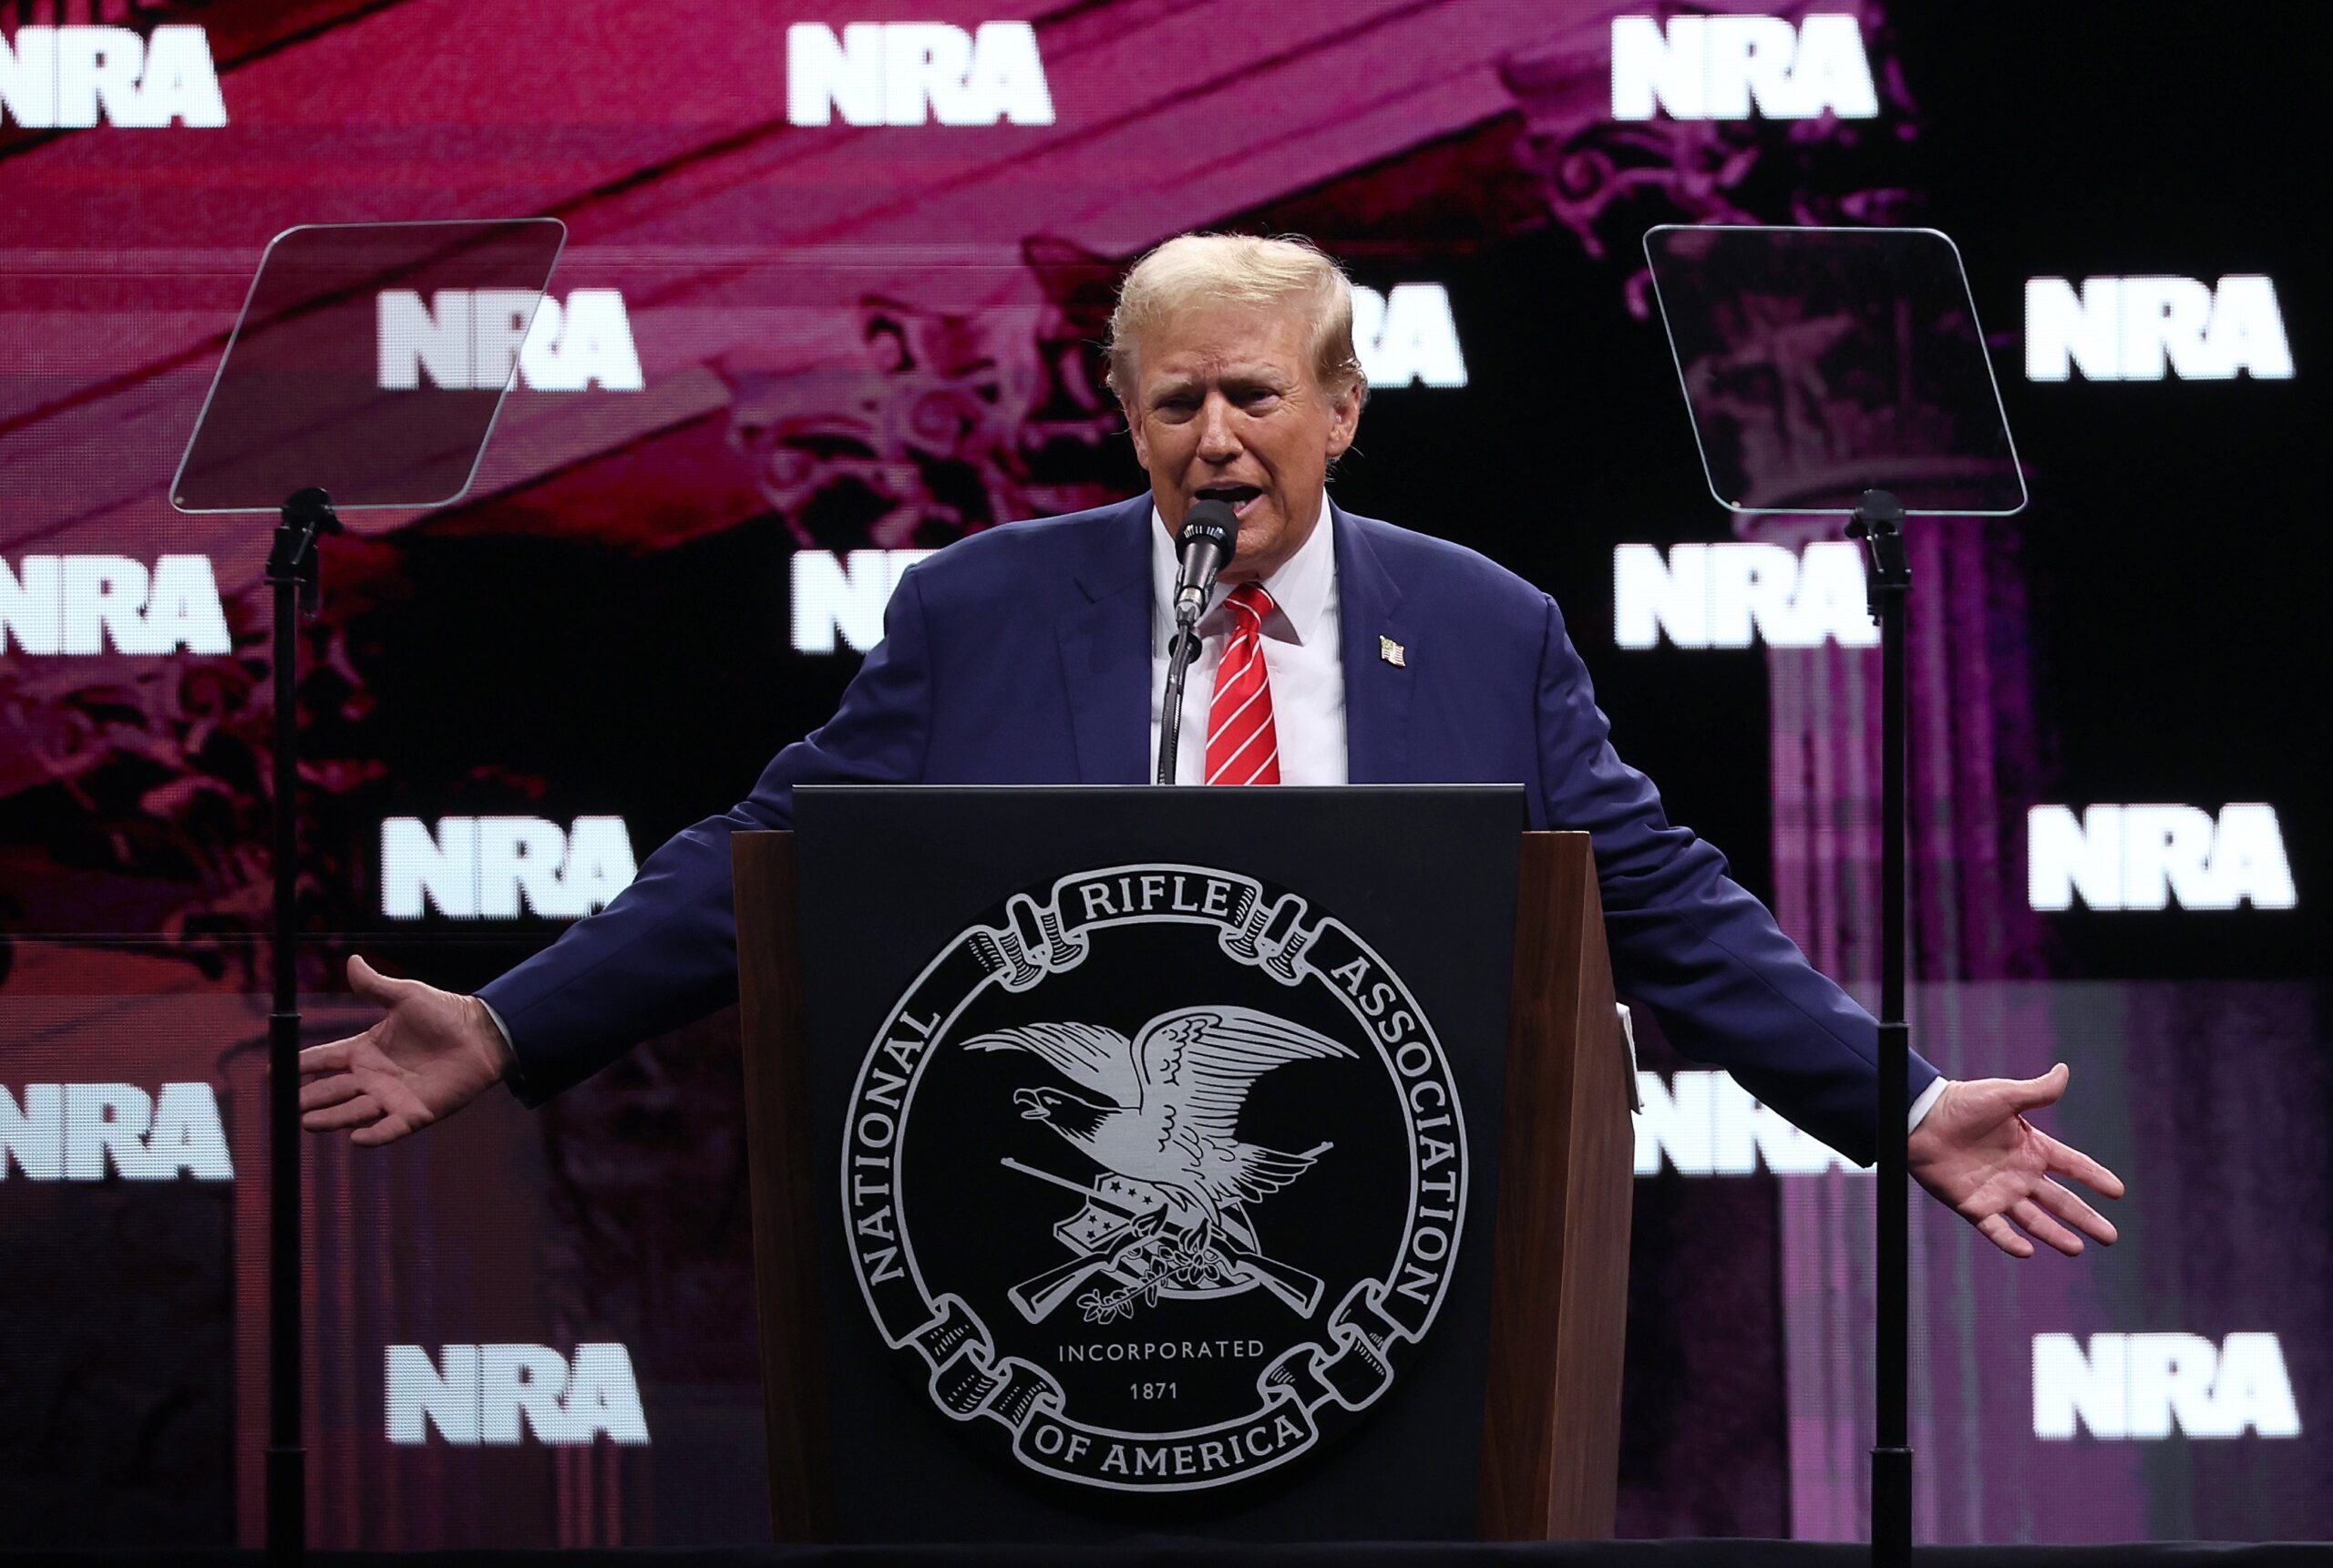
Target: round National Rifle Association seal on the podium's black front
(1156,1179)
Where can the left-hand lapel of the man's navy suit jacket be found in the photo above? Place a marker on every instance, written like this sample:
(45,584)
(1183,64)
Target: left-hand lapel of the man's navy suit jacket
(1107,652)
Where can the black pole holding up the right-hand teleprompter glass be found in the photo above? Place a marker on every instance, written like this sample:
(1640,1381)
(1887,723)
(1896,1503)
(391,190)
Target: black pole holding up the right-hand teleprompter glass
(1879,528)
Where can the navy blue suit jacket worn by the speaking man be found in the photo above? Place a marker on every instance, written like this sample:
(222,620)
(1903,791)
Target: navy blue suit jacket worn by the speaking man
(1023,657)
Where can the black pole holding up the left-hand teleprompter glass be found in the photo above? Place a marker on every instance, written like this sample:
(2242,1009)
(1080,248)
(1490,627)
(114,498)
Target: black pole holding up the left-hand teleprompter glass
(293,575)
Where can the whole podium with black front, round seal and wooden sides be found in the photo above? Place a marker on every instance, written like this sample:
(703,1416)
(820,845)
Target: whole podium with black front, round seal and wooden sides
(1175,1161)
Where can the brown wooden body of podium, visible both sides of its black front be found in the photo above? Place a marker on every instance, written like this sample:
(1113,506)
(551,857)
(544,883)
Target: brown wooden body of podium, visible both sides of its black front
(1560,1301)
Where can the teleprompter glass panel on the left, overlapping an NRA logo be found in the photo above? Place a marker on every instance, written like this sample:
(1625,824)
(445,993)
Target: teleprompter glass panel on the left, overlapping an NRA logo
(372,363)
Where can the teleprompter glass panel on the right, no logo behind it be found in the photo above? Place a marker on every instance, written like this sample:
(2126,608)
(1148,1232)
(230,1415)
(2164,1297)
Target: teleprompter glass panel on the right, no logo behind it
(1826,363)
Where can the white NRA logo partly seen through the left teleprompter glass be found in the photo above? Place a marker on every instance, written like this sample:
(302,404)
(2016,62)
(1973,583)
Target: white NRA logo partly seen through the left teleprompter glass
(470,339)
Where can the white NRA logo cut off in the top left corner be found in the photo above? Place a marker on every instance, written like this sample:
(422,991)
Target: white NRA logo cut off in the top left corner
(71,78)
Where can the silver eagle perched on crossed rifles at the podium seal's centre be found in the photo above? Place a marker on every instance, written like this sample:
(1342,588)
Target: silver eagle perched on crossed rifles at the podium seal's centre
(1172,1205)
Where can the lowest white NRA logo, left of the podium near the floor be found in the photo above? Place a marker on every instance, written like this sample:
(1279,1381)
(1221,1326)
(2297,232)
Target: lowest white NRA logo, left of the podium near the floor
(496,1394)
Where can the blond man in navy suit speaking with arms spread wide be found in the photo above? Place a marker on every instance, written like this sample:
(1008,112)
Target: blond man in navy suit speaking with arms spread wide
(1338,650)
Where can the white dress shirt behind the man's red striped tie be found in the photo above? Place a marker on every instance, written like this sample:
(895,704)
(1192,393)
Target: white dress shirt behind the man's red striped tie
(1303,647)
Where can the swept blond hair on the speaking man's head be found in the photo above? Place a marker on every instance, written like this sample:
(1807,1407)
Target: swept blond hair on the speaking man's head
(1240,269)
